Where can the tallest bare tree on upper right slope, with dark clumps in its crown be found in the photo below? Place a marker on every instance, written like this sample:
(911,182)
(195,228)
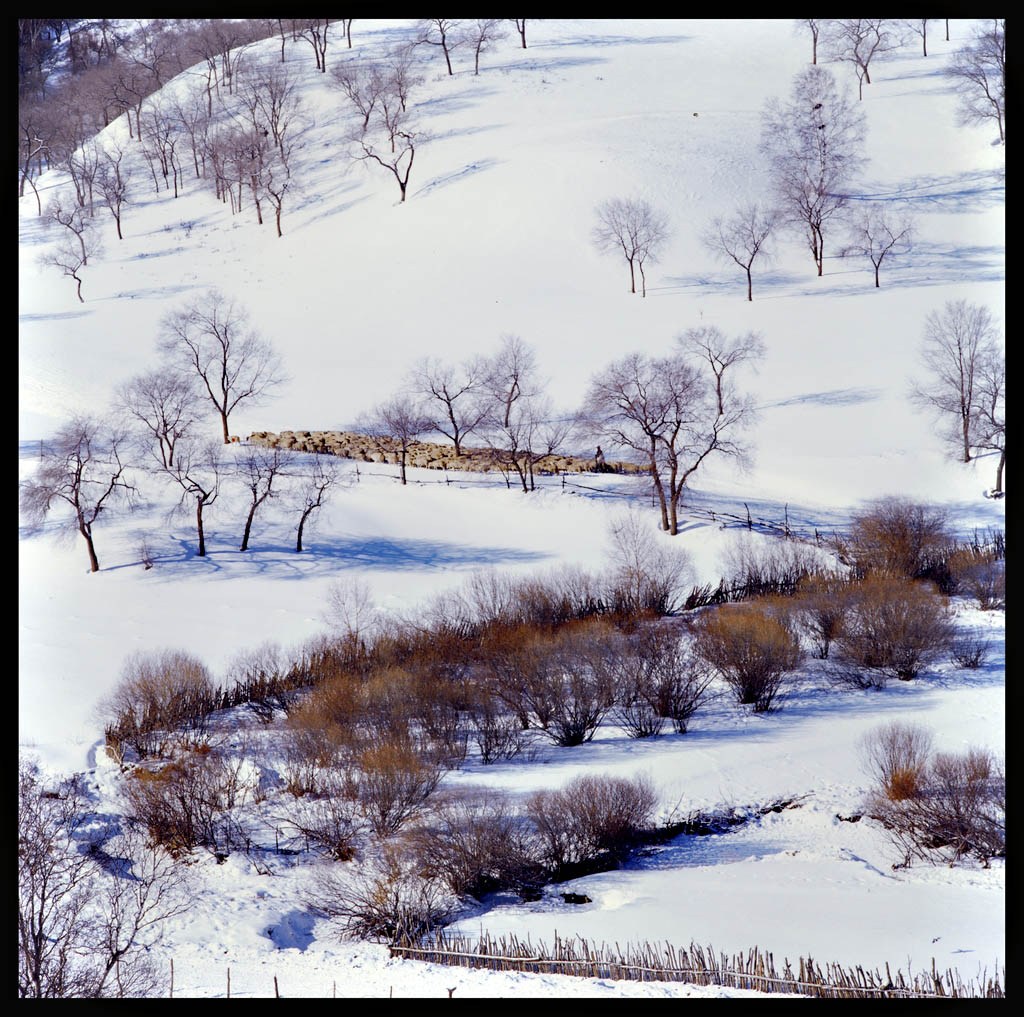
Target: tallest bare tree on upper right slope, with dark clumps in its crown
(815,144)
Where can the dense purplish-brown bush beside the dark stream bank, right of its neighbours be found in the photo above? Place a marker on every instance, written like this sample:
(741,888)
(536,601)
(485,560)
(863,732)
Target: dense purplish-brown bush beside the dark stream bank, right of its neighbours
(591,816)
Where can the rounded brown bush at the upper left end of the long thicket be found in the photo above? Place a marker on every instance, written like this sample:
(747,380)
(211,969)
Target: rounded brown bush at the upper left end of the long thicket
(161,695)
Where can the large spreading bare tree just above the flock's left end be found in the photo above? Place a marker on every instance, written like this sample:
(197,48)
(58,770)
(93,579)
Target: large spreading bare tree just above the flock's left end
(212,338)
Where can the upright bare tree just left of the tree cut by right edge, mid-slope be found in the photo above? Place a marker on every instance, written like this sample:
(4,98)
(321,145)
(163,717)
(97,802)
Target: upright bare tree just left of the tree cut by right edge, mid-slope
(957,342)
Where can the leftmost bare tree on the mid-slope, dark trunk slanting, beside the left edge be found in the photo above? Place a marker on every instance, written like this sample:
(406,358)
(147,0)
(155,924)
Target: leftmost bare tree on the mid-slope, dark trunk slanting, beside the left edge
(82,468)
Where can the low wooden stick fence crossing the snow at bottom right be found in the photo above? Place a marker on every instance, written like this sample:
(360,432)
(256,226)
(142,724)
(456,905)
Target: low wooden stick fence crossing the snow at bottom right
(700,966)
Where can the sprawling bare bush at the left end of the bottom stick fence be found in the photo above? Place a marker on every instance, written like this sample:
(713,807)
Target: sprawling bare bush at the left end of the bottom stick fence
(388,902)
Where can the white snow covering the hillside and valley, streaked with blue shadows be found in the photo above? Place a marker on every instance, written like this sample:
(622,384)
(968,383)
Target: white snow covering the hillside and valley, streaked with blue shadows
(494,240)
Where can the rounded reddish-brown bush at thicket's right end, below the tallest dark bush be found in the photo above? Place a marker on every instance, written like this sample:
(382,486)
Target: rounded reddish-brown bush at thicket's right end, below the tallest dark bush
(897,628)
